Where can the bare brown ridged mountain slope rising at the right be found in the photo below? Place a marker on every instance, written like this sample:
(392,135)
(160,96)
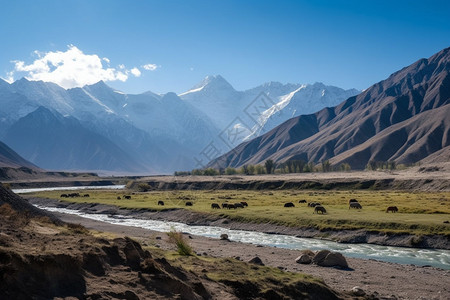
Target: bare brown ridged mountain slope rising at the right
(418,88)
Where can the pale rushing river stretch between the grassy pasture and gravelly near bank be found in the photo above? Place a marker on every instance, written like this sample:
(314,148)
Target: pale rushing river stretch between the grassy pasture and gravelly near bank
(402,255)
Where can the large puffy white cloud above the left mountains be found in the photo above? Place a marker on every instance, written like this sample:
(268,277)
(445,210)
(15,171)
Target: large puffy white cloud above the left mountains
(71,68)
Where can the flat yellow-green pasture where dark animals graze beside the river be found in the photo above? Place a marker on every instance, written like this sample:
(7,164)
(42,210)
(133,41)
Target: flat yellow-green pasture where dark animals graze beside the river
(419,212)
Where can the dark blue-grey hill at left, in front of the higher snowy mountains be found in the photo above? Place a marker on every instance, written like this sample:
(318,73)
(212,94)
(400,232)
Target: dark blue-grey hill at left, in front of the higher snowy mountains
(57,142)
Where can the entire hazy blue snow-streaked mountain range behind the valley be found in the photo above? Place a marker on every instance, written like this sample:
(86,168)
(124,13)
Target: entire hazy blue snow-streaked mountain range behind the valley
(97,128)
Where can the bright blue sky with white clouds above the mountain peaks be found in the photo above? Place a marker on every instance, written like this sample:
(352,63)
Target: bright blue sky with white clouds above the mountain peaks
(165,46)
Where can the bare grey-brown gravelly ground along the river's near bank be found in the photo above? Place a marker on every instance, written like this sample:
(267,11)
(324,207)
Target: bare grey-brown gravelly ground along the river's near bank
(385,280)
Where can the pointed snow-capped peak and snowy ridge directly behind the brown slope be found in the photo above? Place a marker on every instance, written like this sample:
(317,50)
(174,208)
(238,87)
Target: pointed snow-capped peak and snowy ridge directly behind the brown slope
(242,115)
